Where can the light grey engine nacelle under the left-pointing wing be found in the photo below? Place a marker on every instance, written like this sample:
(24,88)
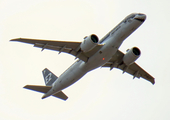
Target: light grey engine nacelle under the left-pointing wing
(89,43)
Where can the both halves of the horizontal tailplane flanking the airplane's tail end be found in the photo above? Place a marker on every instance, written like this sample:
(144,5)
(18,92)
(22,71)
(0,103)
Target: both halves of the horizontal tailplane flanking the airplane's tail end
(45,89)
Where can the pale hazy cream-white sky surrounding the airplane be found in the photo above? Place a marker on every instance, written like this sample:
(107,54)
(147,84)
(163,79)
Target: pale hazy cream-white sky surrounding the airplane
(100,94)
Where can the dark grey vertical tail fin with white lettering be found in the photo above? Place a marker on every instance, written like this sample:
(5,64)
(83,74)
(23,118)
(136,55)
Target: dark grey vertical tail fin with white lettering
(49,77)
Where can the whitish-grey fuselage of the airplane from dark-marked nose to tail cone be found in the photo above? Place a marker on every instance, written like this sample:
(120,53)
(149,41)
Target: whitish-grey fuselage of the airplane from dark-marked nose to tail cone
(111,41)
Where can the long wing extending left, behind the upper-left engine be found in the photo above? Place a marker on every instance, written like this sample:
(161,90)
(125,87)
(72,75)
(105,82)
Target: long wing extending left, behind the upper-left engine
(72,48)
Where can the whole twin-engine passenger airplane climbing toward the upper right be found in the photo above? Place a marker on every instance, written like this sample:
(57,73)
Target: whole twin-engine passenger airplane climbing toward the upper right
(92,53)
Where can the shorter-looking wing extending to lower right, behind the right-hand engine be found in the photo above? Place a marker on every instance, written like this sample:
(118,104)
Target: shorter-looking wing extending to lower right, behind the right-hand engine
(133,69)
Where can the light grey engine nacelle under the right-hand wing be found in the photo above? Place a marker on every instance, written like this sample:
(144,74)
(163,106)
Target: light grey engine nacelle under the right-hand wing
(131,56)
